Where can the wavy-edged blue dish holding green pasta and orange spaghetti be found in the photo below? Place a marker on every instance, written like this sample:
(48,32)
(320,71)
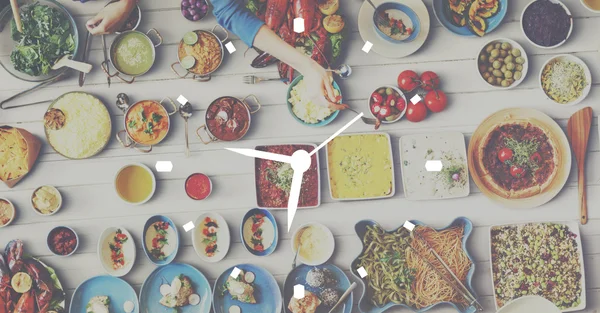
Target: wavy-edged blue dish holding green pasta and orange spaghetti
(365,306)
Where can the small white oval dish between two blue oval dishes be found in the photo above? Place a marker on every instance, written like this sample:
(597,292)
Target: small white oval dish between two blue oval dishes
(223,238)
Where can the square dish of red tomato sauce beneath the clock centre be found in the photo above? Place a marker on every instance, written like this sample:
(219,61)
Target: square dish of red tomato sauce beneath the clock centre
(273,179)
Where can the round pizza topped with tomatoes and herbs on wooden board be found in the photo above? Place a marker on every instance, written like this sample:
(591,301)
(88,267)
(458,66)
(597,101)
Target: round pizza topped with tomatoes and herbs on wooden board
(518,159)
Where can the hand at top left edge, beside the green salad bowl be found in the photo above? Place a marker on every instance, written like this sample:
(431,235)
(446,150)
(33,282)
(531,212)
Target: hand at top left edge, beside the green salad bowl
(110,18)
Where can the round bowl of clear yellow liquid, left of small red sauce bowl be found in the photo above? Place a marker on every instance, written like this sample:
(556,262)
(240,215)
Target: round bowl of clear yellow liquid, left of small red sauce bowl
(135,183)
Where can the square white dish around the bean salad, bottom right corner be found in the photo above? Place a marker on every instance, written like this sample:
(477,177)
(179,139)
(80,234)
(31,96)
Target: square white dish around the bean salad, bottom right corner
(574,228)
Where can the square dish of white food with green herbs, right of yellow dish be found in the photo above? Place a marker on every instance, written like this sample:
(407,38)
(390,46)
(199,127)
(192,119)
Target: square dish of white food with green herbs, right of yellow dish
(416,150)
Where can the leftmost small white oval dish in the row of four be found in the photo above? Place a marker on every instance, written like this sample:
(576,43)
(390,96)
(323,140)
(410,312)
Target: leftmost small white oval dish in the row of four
(104,252)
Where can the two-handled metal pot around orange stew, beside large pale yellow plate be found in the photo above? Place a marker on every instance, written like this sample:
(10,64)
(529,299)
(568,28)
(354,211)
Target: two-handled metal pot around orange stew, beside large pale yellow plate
(128,141)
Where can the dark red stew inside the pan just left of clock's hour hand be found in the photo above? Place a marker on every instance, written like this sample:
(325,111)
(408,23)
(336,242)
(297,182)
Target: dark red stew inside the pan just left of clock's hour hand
(228,119)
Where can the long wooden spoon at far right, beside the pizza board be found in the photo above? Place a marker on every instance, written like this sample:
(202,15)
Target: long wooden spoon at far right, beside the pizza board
(578,130)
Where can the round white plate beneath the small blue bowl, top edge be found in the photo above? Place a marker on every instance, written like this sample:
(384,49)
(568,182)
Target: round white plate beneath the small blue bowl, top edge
(386,48)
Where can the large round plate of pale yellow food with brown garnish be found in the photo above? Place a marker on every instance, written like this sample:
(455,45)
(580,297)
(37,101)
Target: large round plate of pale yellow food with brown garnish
(84,129)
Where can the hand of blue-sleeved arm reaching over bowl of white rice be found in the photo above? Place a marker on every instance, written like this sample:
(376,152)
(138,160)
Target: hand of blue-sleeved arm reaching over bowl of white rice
(319,84)
